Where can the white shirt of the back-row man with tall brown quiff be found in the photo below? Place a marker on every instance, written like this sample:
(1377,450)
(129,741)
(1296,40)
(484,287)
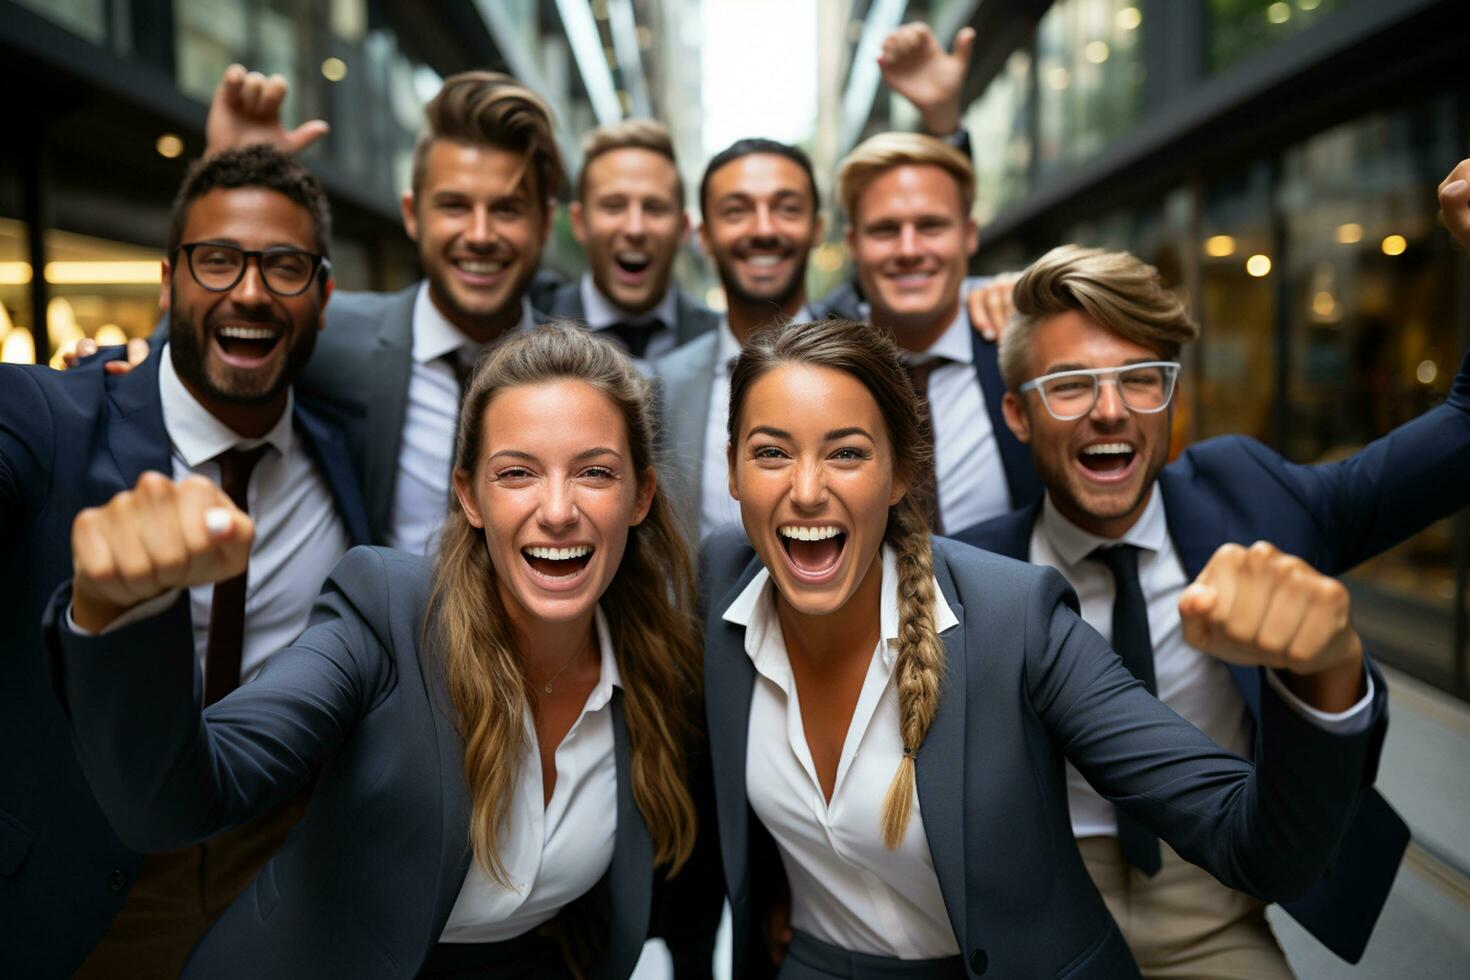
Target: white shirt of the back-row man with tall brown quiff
(423,486)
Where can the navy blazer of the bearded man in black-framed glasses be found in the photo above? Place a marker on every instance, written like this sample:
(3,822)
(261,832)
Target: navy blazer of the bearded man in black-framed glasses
(73,440)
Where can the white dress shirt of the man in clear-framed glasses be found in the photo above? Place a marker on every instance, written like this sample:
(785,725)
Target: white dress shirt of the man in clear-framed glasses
(1191,682)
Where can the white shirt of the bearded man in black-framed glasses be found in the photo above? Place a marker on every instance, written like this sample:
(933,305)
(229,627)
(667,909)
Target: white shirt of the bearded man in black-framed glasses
(299,533)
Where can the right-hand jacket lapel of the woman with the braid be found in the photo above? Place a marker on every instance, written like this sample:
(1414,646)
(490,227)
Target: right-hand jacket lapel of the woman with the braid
(942,766)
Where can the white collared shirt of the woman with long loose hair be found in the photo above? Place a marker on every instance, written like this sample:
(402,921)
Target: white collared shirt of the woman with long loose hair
(552,853)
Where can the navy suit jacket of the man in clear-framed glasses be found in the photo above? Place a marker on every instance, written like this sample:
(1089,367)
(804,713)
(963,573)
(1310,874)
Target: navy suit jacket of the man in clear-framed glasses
(1335,516)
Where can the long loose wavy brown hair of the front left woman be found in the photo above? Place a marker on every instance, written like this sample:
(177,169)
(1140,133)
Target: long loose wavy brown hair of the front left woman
(653,634)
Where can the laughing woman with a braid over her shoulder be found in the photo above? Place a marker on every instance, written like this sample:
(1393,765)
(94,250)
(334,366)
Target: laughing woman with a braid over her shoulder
(890,713)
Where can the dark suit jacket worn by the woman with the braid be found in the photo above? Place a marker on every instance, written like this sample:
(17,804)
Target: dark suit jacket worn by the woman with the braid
(1028,684)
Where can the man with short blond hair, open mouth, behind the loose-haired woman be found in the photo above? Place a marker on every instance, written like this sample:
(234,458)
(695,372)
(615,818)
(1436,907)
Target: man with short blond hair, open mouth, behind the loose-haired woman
(628,214)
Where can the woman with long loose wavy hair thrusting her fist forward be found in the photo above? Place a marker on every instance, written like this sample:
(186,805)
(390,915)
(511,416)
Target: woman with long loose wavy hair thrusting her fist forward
(495,743)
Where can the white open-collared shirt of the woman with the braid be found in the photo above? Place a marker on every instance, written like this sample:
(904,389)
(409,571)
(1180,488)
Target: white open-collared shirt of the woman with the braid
(847,888)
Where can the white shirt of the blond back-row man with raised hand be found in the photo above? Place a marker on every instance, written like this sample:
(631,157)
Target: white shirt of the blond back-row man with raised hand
(968,462)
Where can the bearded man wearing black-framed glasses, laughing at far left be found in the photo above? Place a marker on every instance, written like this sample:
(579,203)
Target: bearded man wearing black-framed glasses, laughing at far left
(245,286)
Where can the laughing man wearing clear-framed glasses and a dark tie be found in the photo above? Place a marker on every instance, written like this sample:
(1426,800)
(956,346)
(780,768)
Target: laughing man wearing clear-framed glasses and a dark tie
(1091,371)
